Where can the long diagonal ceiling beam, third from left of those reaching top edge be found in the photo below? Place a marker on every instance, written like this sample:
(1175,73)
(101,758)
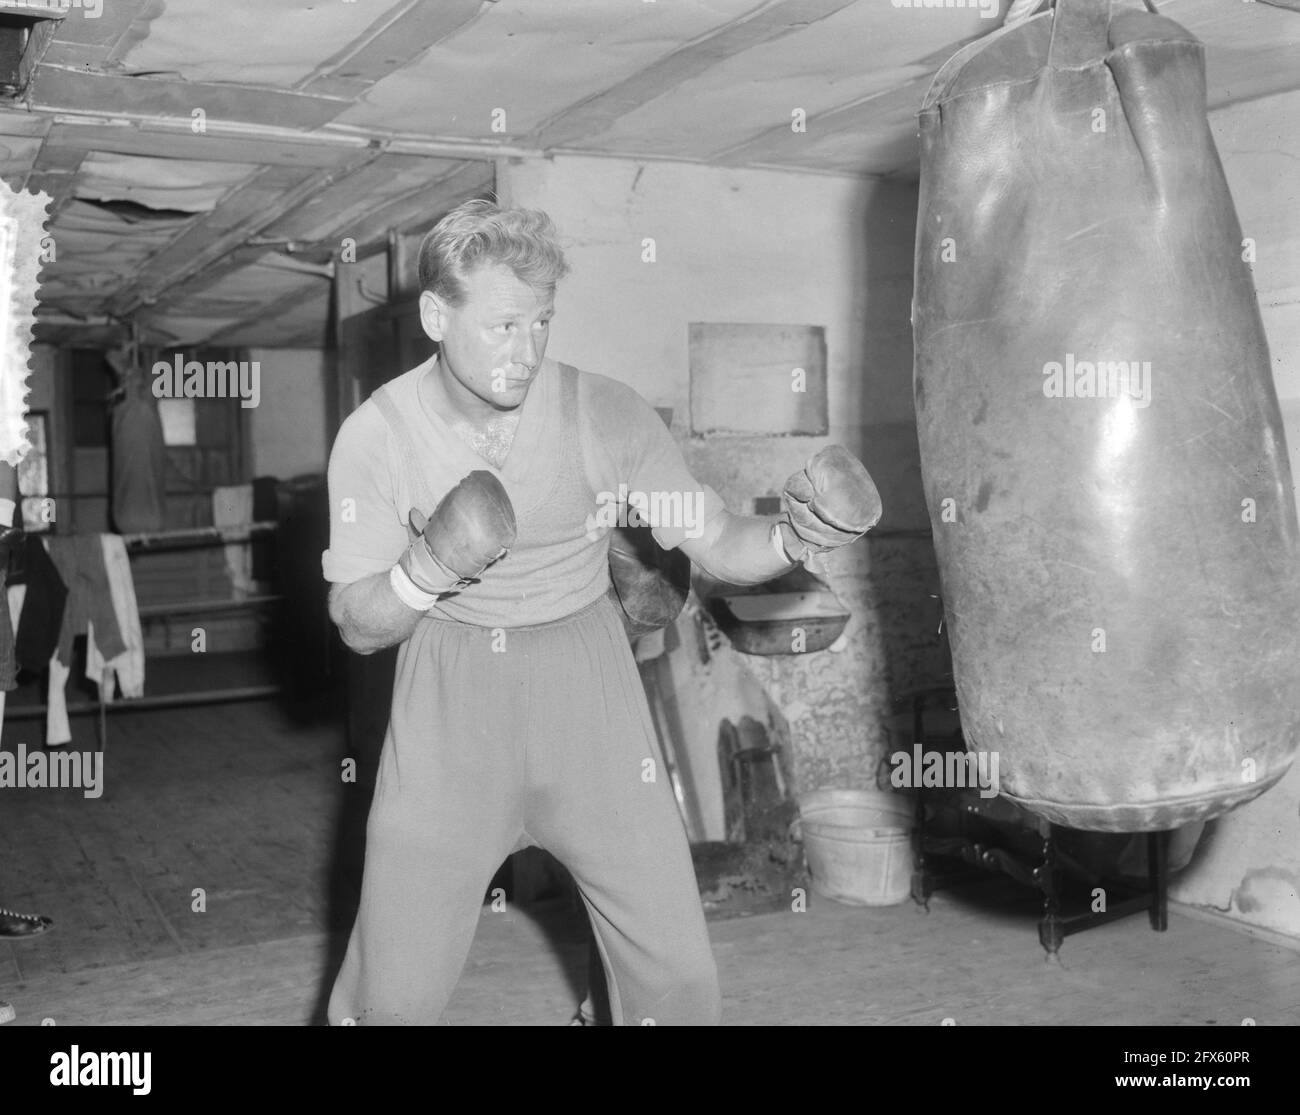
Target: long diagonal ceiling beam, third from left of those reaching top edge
(597,114)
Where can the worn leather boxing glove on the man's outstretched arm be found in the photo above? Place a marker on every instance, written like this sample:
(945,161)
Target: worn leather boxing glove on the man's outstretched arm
(830,504)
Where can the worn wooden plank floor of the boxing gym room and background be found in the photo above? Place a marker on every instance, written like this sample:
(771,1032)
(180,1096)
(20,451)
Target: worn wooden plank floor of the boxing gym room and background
(248,805)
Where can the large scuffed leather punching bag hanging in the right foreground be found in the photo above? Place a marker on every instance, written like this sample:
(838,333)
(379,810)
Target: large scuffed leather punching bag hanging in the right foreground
(1100,437)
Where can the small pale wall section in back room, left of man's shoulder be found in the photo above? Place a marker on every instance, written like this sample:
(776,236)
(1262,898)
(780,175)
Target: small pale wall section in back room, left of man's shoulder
(289,423)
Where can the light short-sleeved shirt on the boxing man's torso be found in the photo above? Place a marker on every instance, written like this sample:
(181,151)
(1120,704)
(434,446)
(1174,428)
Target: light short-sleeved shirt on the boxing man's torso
(631,472)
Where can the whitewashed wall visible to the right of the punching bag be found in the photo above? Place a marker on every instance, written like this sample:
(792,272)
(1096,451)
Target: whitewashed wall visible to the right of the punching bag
(1249,865)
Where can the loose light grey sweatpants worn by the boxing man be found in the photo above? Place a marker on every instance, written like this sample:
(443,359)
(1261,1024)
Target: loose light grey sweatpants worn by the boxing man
(509,737)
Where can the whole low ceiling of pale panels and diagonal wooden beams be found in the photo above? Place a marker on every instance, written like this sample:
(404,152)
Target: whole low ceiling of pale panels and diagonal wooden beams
(209,160)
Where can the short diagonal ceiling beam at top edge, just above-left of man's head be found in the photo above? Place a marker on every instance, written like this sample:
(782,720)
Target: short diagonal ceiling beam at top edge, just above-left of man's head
(397,38)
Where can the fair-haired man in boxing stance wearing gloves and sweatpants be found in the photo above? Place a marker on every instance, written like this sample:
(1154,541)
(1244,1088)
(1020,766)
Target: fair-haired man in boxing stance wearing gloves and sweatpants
(462,496)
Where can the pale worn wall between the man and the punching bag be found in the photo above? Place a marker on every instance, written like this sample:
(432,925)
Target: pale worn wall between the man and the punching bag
(747,246)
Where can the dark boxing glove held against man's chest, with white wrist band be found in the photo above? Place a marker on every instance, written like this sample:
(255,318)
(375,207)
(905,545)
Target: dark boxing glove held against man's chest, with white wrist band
(473,527)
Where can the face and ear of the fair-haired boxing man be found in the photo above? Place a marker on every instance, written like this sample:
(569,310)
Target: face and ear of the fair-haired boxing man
(495,342)
